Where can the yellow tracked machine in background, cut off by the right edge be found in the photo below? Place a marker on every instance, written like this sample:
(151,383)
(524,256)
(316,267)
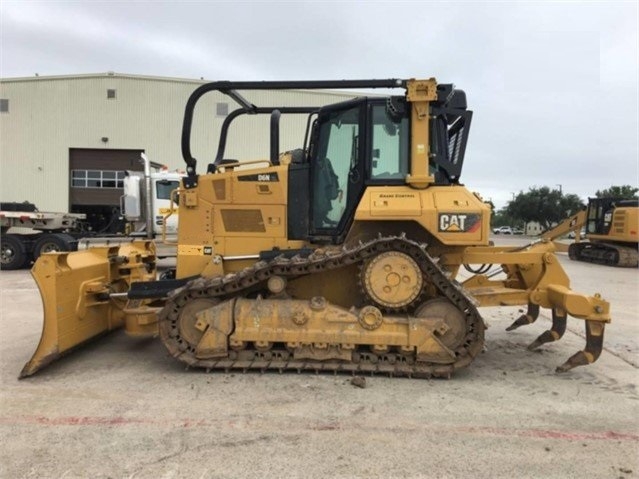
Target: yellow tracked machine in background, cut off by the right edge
(611,228)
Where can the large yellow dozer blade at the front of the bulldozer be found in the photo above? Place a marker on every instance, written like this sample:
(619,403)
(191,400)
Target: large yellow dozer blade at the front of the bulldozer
(76,291)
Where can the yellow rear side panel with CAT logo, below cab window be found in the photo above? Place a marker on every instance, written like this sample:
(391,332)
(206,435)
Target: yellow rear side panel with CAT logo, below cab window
(451,214)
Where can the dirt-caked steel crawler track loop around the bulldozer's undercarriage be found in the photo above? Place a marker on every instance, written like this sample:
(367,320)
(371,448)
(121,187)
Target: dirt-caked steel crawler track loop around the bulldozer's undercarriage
(363,359)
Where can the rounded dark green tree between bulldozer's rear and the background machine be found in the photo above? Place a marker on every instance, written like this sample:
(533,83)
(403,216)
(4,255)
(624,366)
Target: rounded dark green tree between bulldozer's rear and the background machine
(543,205)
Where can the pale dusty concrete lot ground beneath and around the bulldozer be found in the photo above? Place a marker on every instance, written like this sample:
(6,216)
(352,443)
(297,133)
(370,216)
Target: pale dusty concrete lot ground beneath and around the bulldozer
(122,408)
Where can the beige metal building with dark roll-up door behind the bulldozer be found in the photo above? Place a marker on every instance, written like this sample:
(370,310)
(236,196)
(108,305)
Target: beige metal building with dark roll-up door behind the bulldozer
(65,140)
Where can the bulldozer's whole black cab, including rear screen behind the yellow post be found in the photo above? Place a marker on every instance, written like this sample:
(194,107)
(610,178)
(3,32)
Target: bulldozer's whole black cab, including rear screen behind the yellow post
(367,141)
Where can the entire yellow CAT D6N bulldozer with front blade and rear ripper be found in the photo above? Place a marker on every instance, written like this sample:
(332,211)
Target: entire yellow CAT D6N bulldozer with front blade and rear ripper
(342,255)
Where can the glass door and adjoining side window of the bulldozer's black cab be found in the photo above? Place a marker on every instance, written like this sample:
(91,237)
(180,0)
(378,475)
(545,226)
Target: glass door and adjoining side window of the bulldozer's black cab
(353,144)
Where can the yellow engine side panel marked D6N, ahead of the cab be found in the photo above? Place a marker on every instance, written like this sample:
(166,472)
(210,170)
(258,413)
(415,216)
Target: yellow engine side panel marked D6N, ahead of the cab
(231,215)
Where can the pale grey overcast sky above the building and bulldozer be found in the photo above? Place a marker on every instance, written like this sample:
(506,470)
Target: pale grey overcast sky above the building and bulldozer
(553,85)
